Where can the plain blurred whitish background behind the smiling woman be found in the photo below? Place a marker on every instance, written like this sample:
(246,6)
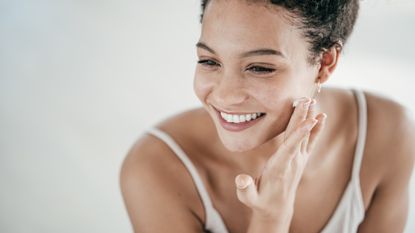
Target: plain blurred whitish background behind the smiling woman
(81,80)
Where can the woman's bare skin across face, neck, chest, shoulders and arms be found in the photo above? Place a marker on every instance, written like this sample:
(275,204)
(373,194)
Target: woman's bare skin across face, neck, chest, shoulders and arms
(158,191)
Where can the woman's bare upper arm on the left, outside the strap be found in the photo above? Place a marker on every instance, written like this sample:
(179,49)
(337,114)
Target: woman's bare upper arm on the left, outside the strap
(155,202)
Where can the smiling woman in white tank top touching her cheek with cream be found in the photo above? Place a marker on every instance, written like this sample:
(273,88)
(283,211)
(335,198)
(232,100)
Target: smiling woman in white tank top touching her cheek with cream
(272,150)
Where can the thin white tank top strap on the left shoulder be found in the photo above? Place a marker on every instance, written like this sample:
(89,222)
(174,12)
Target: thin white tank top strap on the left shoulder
(212,216)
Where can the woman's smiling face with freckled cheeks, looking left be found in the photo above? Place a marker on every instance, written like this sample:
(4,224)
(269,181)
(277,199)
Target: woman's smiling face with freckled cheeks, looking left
(231,77)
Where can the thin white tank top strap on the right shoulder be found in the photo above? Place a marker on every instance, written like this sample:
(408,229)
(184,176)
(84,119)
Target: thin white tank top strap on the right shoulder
(362,131)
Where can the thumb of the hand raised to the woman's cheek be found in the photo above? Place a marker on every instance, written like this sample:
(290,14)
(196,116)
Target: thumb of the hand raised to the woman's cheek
(246,189)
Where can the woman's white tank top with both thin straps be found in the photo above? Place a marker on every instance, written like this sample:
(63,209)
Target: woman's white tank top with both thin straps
(350,210)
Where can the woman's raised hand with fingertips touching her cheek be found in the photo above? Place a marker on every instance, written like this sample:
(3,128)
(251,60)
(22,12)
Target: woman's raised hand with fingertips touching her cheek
(272,195)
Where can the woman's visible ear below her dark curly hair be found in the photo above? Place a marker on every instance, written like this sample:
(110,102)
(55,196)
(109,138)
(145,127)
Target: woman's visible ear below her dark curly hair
(328,62)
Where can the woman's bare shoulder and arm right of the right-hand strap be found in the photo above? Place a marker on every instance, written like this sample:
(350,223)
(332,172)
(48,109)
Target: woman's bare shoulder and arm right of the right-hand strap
(389,157)
